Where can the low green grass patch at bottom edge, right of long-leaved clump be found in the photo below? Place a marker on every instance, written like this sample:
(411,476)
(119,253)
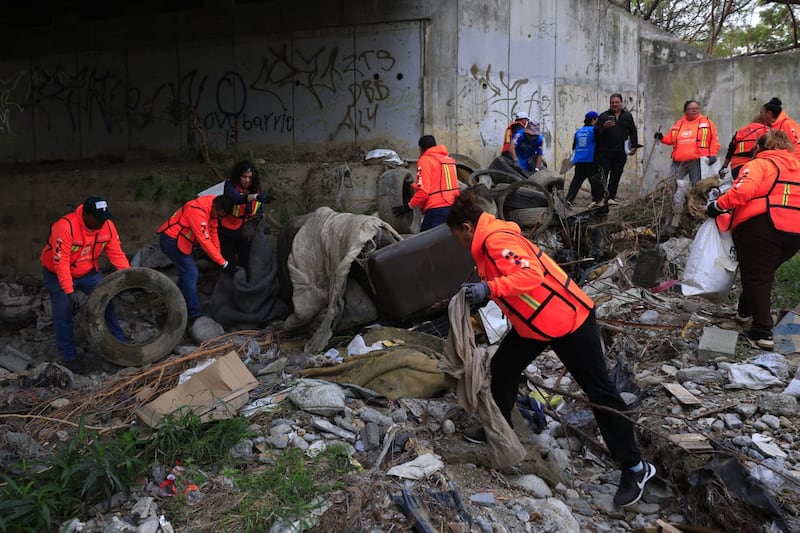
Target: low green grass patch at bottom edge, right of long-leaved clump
(289,490)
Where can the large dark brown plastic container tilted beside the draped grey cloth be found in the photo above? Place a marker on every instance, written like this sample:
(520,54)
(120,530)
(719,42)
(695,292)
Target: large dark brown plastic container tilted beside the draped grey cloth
(413,275)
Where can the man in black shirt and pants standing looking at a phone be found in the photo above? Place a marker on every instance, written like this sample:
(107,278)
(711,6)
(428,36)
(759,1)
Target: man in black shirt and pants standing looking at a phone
(612,129)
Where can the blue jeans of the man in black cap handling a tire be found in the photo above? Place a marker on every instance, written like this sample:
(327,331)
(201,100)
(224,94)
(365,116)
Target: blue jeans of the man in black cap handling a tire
(62,311)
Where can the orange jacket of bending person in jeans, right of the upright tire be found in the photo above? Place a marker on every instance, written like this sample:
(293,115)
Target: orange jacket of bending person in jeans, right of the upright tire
(192,224)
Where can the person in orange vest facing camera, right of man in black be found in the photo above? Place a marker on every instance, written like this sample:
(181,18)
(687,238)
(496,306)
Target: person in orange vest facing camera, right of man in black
(692,137)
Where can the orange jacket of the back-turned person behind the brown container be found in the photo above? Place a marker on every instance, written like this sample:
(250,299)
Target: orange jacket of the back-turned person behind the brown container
(435,187)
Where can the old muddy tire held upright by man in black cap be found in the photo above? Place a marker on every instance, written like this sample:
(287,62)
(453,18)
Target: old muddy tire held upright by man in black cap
(170,331)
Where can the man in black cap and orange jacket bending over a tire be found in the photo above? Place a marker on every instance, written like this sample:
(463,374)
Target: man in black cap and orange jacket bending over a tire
(70,263)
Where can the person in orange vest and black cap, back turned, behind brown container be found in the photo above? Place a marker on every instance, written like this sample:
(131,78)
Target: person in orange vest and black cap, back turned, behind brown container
(436,186)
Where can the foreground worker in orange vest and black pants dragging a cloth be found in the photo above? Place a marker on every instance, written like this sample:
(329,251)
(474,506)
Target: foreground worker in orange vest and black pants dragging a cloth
(546,308)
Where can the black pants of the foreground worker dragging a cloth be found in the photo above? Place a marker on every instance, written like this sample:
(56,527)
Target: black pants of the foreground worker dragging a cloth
(582,354)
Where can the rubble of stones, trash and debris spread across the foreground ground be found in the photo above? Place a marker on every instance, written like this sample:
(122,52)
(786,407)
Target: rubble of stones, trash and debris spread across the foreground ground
(715,415)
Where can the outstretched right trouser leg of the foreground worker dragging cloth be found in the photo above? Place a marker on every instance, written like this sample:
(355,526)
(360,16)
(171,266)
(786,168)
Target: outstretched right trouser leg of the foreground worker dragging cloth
(582,354)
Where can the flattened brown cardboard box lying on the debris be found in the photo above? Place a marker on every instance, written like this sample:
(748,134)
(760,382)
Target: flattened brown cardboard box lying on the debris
(214,393)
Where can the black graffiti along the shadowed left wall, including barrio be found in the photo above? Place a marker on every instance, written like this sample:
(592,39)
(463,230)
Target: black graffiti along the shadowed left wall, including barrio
(351,89)
